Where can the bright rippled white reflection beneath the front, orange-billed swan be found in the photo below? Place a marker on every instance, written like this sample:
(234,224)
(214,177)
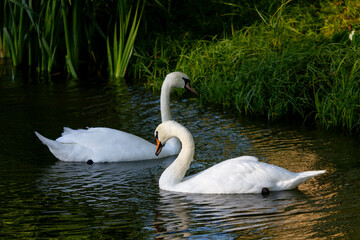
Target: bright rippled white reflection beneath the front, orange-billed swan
(183,215)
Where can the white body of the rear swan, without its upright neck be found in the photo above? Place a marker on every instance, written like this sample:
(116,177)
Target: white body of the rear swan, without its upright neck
(101,145)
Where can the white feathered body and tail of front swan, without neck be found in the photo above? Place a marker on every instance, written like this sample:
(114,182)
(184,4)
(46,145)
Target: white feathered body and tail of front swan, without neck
(241,175)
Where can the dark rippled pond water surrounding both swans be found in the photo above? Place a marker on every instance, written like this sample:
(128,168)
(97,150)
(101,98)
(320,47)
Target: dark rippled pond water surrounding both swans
(42,197)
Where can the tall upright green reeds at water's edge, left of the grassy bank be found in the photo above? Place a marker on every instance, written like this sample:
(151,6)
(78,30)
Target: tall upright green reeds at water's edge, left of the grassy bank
(48,35)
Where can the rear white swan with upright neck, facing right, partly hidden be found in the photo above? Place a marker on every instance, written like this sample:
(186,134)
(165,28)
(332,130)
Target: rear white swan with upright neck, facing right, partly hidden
(101,144)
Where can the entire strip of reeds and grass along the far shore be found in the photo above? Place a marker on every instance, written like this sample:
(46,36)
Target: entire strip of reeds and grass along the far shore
(275,60)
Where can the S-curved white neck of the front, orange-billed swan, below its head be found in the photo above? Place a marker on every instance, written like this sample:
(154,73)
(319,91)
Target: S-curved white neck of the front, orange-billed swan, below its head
(176,171)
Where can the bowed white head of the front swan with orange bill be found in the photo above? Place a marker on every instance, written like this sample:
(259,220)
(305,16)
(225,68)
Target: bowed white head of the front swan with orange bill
(167,130)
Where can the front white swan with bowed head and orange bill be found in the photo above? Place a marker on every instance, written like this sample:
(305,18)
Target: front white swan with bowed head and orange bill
(238,175)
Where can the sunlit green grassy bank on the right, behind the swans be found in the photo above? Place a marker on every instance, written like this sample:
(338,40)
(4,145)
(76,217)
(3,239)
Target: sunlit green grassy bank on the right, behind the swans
(289,63)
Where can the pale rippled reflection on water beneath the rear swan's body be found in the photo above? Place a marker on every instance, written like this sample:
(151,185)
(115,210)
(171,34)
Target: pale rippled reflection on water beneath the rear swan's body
(98,182)
